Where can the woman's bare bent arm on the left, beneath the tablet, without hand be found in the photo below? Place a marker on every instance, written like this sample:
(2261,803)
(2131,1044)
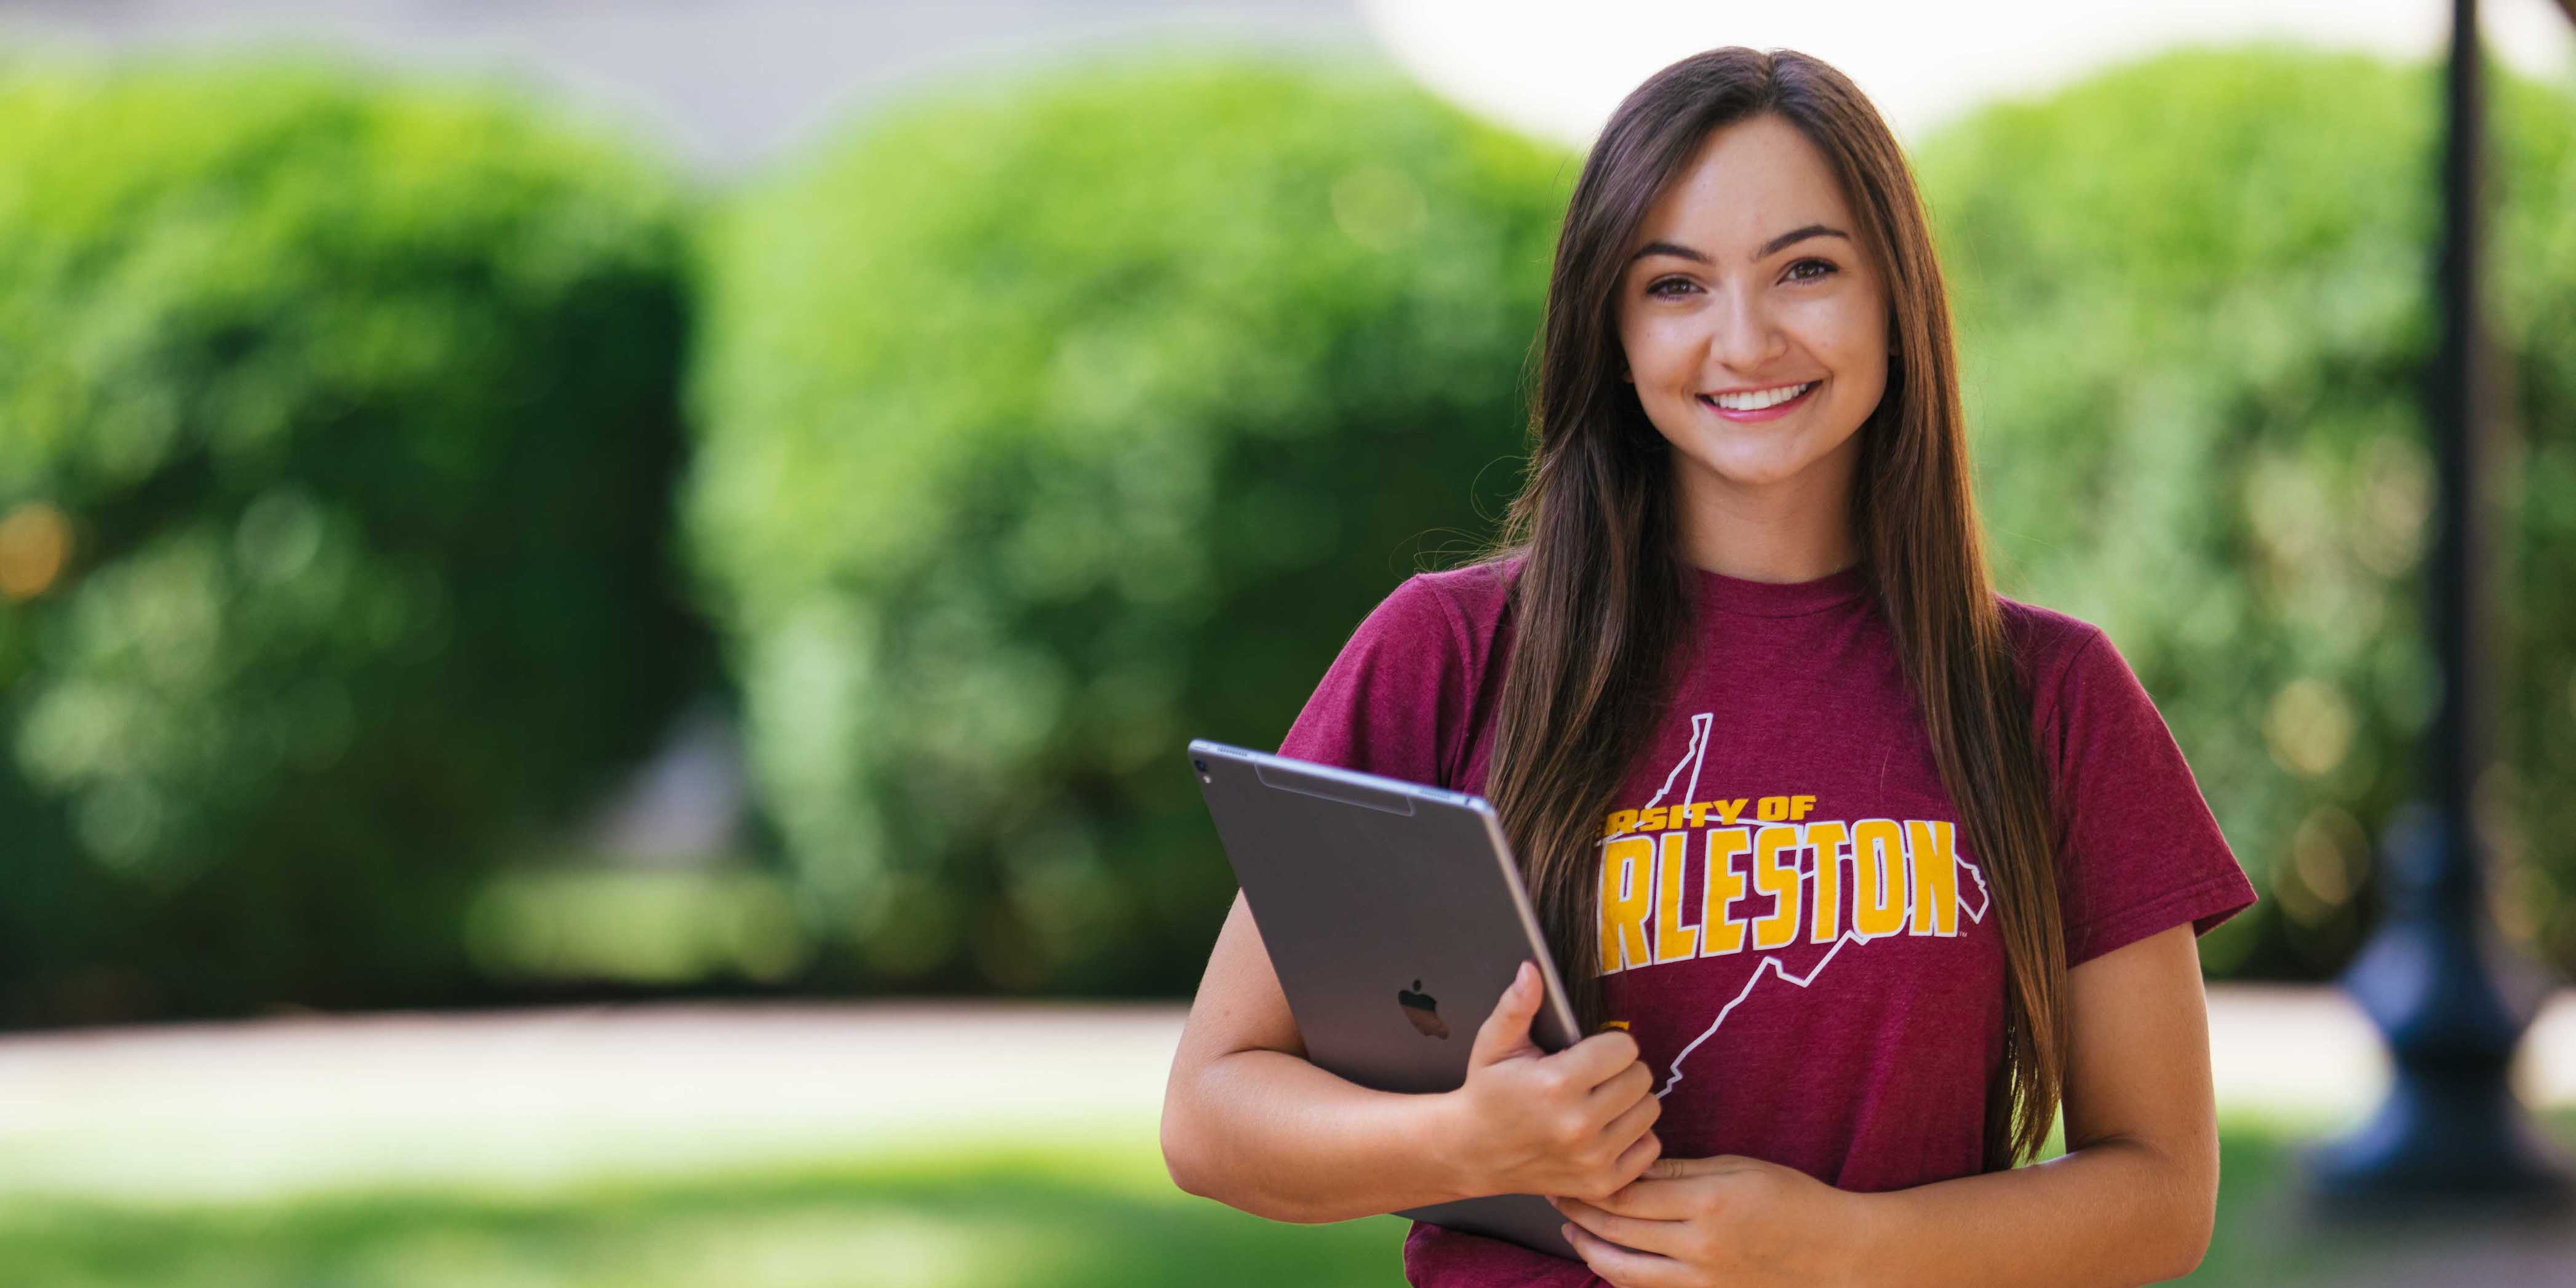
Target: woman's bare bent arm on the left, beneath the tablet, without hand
(1253,1124)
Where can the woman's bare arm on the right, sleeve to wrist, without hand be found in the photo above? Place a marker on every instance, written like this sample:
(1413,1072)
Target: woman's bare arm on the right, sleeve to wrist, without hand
(2137,1191)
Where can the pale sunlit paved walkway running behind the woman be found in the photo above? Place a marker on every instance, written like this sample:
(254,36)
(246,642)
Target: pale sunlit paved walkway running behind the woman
(550,1096)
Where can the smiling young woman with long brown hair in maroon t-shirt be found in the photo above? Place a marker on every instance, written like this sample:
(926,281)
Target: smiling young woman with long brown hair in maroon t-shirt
(1877,867)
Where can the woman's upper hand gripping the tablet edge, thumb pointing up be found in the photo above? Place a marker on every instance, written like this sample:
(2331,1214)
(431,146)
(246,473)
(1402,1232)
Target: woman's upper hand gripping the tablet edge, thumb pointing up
(1578,1122)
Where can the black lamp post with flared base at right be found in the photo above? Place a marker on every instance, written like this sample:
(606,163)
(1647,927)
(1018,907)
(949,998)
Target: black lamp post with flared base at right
(2438,983)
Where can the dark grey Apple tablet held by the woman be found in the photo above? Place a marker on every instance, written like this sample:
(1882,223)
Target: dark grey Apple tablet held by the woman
(1395,918)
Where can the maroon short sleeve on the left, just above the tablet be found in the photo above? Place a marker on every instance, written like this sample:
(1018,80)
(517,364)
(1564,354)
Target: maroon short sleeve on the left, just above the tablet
(1395,702)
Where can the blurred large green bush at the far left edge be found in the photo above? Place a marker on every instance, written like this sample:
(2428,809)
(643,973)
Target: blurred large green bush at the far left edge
(336,442)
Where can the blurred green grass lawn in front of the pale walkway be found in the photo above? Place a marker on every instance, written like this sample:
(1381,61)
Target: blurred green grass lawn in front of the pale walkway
(1063,1215)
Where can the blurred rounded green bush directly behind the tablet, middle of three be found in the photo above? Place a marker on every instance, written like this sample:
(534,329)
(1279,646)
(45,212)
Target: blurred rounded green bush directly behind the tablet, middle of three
(1050,426)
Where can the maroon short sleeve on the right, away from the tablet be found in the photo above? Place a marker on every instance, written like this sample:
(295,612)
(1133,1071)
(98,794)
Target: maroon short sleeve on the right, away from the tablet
(2139,849)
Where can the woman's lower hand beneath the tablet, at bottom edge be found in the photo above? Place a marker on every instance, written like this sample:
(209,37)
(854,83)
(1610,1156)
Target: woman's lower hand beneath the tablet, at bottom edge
(1719,1222)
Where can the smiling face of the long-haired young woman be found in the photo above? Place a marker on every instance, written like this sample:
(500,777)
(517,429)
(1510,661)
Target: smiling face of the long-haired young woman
(1748,277)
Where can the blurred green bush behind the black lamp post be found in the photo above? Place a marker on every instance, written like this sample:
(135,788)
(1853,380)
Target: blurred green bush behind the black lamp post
(2196,313)
